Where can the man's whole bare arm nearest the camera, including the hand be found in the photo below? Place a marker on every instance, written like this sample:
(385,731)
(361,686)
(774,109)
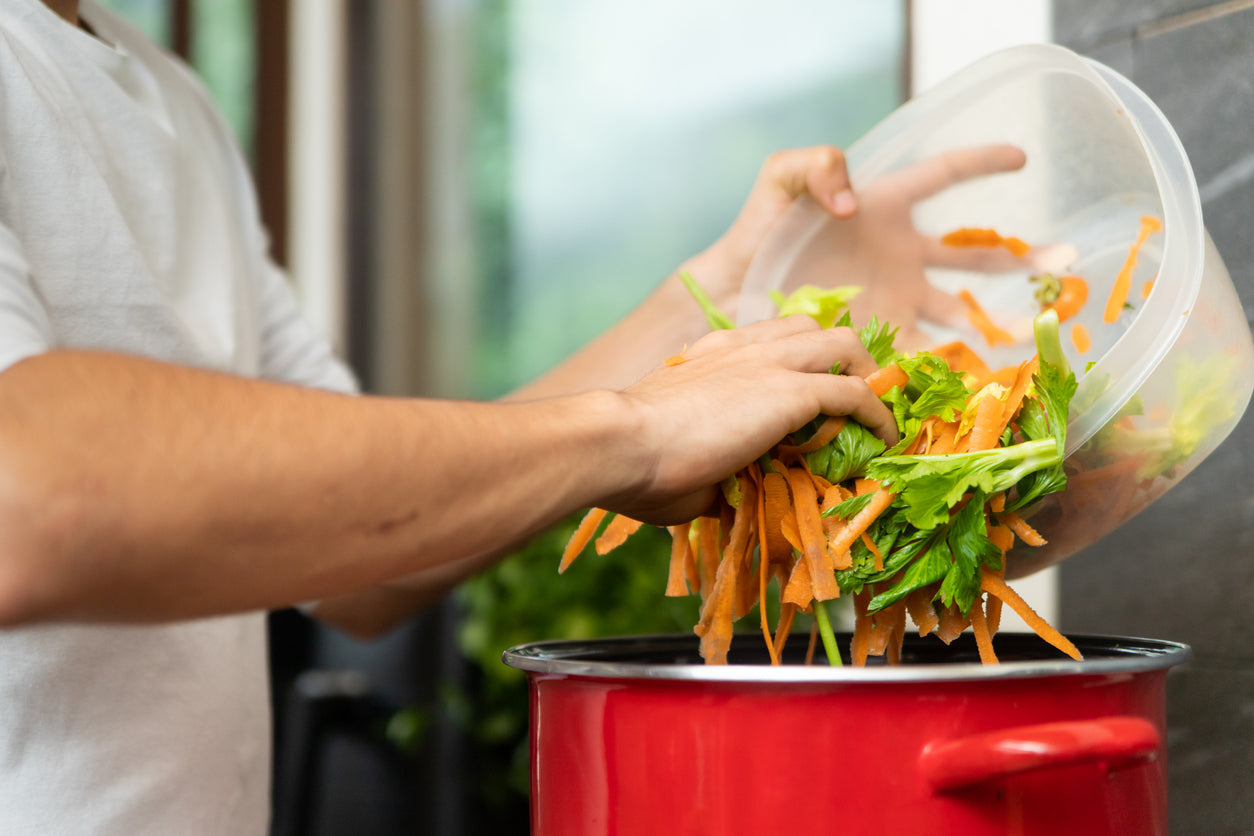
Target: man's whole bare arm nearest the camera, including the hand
(137,491)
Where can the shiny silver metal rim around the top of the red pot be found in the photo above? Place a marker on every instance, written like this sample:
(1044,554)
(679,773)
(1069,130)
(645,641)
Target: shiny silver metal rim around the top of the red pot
(609,659)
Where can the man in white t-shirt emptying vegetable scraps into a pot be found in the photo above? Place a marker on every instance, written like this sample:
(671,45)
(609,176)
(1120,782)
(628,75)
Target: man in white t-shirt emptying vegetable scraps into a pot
(180,453)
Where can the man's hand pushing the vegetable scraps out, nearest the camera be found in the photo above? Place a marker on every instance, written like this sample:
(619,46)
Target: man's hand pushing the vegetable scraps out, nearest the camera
(735,395)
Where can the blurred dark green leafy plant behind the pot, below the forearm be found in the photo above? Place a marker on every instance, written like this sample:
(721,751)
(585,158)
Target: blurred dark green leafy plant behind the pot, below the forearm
(524,600)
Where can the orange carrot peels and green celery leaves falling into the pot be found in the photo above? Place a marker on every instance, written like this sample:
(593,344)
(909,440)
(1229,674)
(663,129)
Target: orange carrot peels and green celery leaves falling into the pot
(919,531)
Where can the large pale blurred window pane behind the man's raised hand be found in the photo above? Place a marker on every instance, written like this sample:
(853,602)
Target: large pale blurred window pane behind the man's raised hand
(614,141)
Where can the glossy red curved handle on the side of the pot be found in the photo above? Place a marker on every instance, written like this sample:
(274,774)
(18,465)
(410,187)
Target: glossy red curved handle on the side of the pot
(949,766)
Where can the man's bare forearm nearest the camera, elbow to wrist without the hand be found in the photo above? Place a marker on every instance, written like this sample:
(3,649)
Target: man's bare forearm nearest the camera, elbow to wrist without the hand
(137,491)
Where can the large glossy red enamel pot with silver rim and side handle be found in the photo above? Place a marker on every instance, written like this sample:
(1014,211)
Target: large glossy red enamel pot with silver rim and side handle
(636,736)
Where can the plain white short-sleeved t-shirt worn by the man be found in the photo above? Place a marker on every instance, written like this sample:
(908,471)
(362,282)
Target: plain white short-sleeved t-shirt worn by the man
(129,224)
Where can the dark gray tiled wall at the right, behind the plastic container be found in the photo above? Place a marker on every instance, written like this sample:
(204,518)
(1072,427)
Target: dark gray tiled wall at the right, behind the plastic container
(1184,570)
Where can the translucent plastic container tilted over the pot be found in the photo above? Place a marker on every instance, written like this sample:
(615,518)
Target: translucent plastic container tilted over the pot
(1163,385)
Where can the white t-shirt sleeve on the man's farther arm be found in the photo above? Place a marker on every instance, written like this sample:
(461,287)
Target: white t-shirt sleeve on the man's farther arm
(292,349)
